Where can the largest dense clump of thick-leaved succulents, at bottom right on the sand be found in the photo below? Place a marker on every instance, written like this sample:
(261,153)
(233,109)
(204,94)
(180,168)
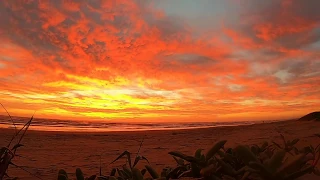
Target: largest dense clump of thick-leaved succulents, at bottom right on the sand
(244,162)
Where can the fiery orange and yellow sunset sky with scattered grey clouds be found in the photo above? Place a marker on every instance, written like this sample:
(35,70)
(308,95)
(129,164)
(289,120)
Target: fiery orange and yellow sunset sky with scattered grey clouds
(160,60)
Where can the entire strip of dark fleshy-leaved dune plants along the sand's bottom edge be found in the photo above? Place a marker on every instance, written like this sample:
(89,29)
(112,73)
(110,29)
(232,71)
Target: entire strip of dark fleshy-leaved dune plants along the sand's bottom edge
(282,161)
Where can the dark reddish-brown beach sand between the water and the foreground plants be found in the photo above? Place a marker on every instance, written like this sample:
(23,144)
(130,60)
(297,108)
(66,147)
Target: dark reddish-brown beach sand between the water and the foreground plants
(46,152)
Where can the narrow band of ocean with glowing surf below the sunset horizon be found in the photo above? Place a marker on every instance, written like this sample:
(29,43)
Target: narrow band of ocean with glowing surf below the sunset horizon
(102,126)
